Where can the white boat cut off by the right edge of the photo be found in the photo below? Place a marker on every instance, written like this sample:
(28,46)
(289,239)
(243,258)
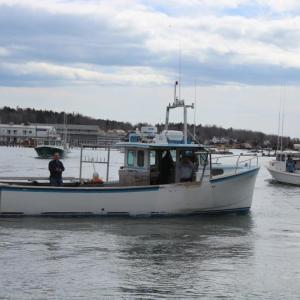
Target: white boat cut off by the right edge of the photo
(286,167)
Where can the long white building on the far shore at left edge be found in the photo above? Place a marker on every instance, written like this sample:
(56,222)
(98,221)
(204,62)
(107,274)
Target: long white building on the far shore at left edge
(17,134)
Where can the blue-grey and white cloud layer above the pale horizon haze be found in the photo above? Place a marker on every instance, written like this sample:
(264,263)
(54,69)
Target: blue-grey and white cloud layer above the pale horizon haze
(141,41)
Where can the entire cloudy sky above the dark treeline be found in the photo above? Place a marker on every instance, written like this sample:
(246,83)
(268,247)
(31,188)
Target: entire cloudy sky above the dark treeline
(238,60)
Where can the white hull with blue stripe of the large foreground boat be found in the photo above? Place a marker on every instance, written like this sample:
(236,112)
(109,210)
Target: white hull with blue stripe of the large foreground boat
(221,194)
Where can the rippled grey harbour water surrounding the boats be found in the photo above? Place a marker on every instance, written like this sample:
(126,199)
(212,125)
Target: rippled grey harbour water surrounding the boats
(255,256)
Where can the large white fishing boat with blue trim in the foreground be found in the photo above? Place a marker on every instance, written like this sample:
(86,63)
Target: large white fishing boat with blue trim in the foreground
(152,181)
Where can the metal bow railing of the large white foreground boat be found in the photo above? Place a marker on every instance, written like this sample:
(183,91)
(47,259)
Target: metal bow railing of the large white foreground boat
(238,161)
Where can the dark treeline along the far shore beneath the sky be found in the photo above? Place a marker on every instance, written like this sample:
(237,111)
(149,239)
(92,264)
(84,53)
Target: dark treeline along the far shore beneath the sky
(203,133)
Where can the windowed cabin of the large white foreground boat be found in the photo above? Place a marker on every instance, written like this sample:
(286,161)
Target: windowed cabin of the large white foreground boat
(155,163)
